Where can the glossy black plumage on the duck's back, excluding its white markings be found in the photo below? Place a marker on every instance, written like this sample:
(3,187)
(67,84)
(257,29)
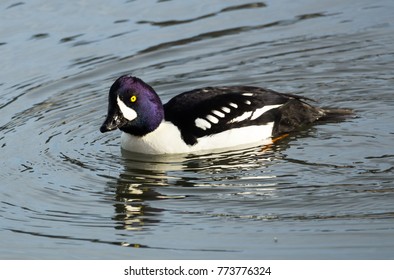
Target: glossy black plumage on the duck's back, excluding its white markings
(185,108)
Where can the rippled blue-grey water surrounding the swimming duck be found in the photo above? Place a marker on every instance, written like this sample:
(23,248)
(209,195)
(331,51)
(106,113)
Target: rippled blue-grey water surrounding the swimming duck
(68,192)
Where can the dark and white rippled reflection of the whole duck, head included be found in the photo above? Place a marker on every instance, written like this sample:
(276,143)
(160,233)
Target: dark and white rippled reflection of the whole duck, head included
(146,179)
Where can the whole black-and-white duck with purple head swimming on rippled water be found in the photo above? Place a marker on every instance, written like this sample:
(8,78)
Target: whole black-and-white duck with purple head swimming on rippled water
(205,119)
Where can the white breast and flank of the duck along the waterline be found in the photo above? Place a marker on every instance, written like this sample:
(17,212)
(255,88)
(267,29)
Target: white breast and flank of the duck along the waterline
(166,139)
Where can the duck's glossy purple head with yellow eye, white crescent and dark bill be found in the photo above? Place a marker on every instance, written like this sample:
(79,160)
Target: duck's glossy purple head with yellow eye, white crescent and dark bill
(133,107)
